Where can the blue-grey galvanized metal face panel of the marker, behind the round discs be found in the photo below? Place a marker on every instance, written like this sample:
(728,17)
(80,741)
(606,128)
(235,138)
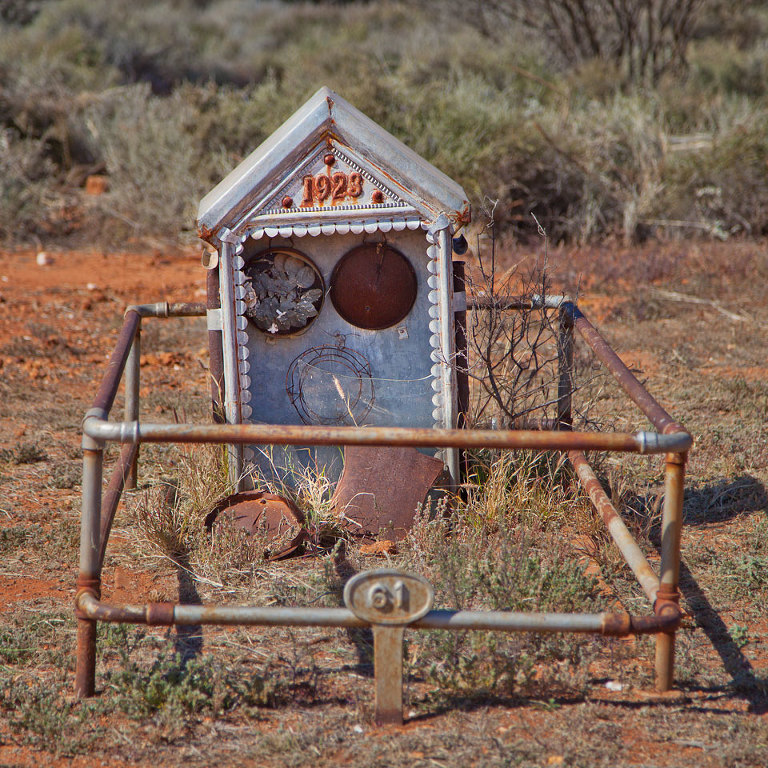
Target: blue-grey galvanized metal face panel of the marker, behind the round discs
(400,389)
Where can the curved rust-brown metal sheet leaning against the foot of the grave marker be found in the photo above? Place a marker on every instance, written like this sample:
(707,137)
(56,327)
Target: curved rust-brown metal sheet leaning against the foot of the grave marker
(380,488)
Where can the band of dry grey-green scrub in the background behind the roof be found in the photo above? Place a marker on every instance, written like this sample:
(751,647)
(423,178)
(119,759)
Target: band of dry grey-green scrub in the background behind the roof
(167,98)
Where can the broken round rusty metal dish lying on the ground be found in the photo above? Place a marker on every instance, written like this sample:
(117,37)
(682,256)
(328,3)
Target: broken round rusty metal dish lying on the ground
(263,512)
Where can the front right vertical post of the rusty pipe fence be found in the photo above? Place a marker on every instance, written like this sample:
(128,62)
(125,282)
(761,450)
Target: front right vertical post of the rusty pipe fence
(671,525)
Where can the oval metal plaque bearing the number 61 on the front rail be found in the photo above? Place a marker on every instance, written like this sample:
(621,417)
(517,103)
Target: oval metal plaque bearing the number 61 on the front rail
(388,596)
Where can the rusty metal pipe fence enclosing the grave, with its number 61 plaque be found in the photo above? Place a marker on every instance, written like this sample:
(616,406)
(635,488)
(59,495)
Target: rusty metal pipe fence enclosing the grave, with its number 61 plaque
(387,601)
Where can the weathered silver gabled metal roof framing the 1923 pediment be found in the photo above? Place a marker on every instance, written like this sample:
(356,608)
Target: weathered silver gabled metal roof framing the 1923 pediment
(328,123)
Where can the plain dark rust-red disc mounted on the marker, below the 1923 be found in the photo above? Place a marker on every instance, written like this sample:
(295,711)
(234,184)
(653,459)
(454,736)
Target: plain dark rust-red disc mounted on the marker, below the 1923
(373,286)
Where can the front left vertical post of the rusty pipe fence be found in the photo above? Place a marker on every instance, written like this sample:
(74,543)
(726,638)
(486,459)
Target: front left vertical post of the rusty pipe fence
(89,578)
